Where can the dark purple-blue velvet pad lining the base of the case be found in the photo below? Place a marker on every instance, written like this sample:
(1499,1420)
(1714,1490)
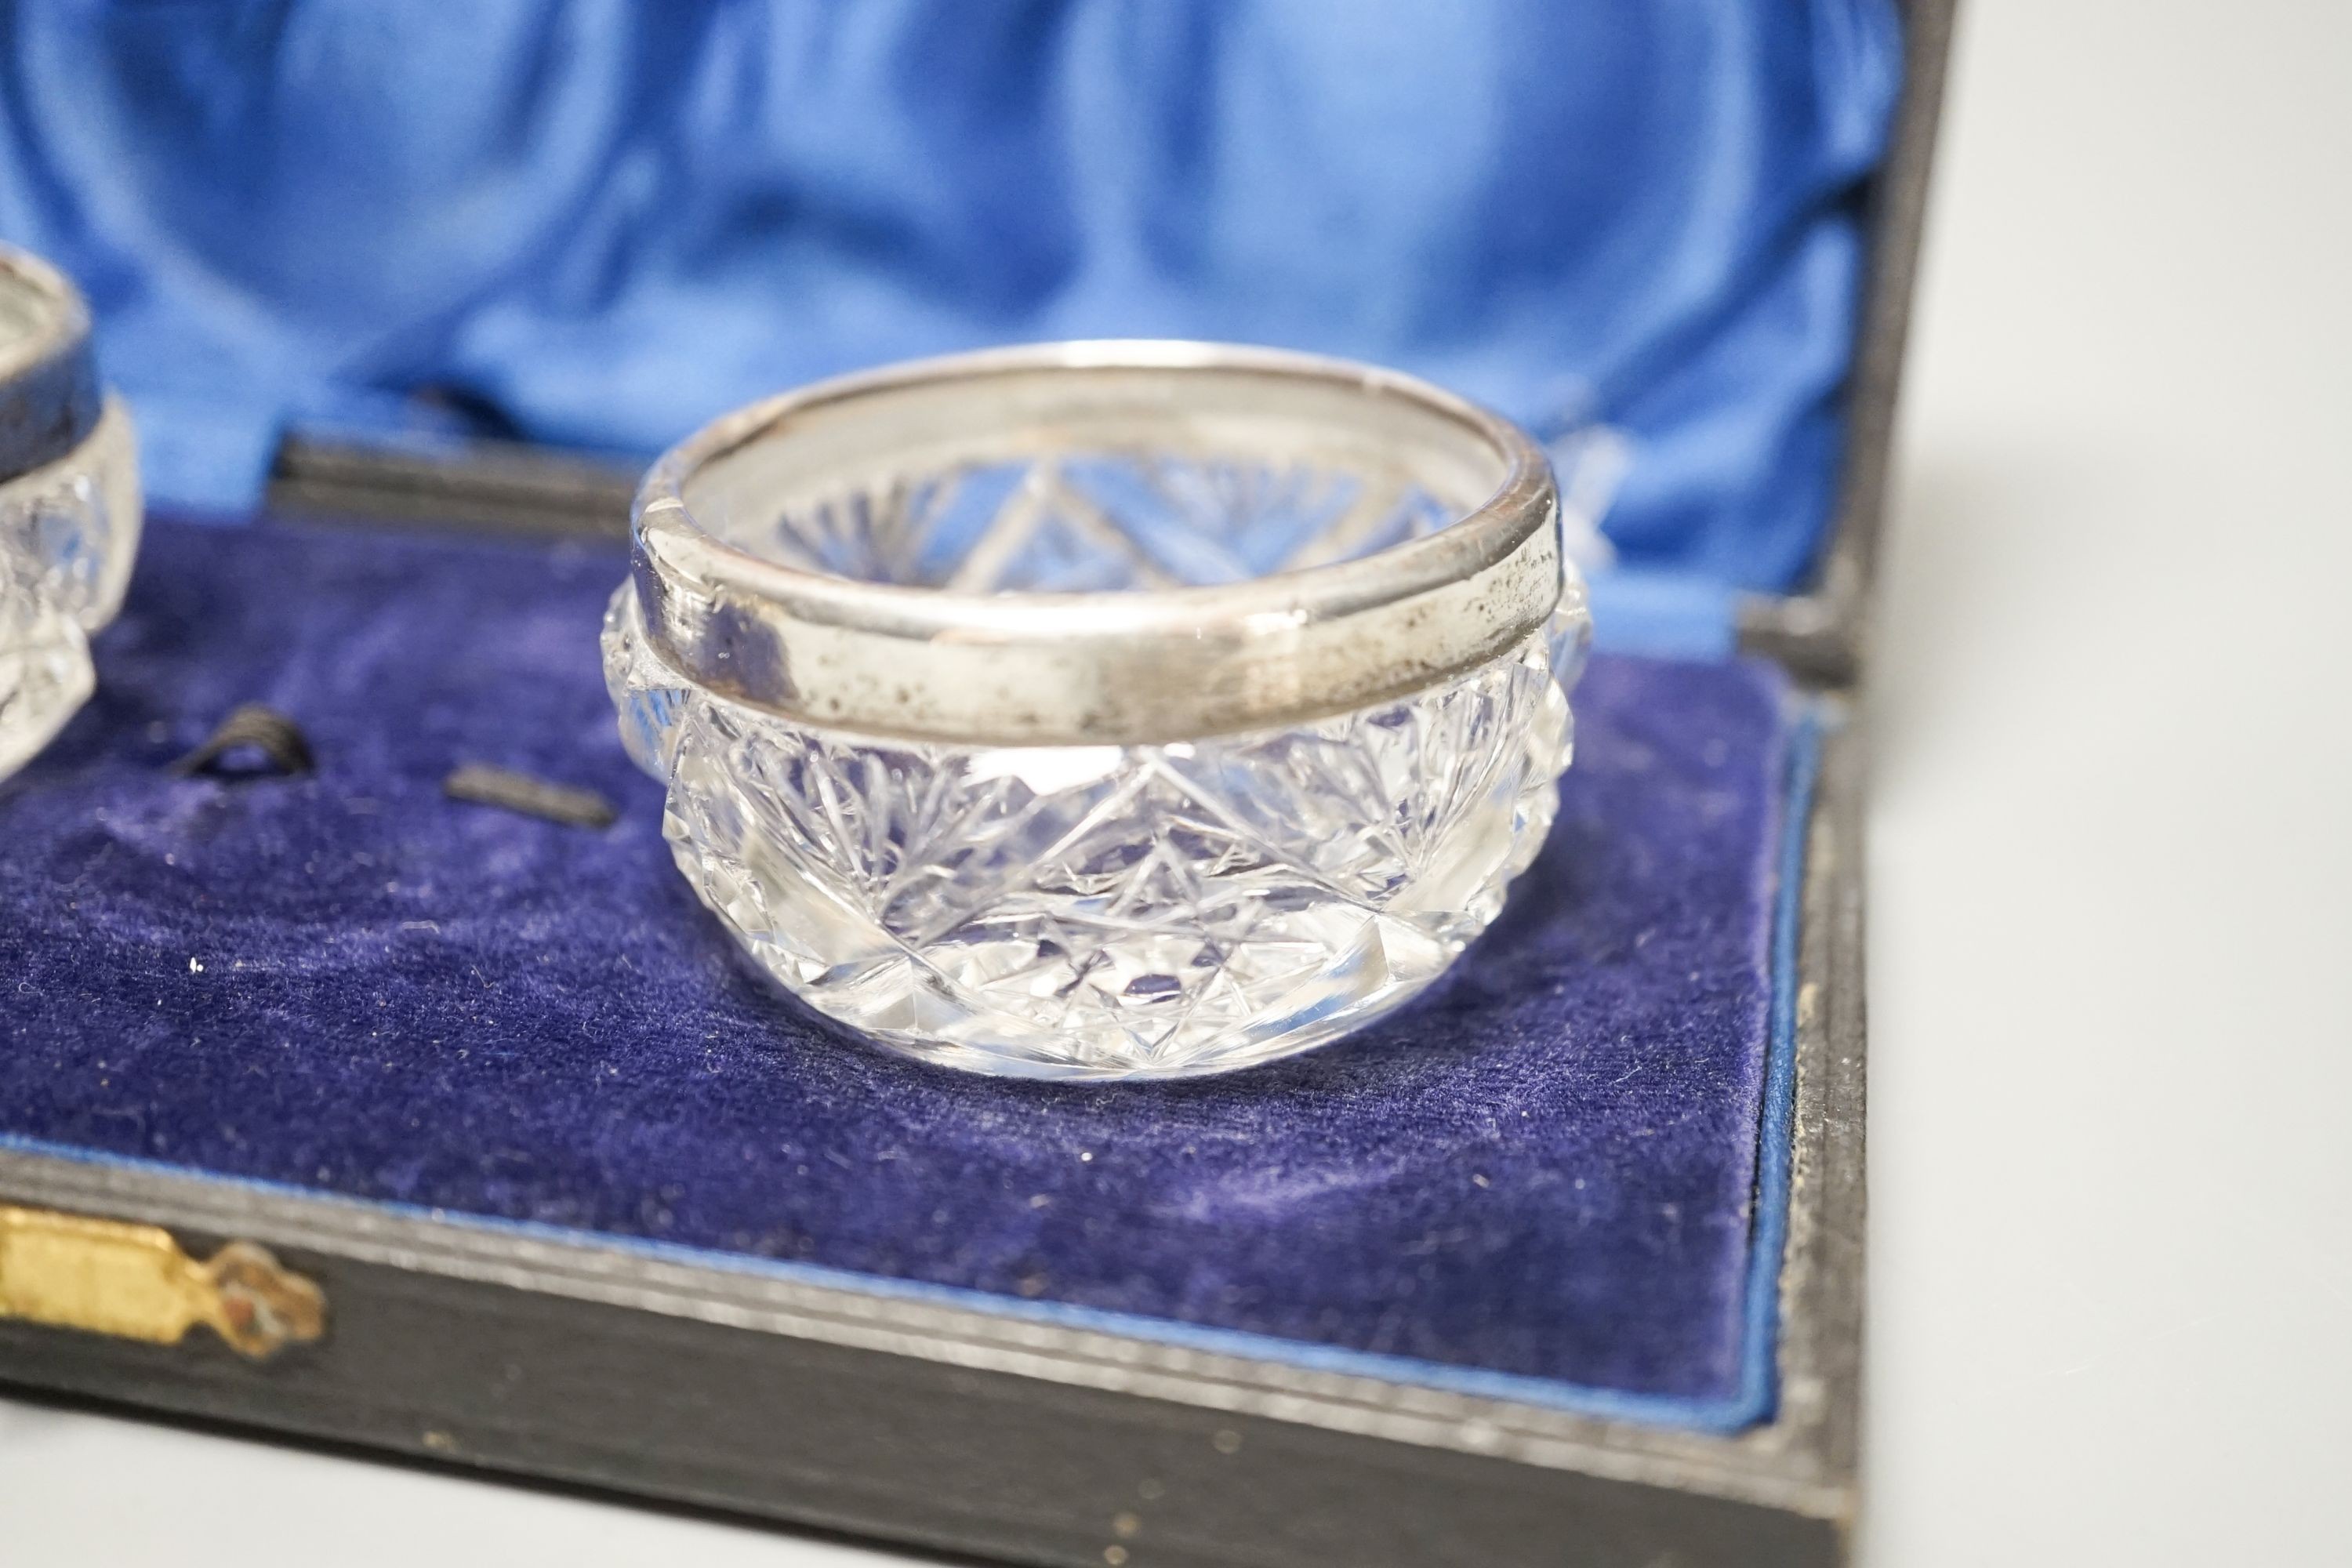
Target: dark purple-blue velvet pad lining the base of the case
(1542,1181)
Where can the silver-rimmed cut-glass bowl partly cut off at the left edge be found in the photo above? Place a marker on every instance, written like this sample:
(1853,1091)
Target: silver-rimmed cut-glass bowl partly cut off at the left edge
(69,504)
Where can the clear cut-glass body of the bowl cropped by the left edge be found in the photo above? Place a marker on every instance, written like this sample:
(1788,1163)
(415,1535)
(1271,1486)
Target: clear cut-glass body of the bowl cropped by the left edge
(67,540)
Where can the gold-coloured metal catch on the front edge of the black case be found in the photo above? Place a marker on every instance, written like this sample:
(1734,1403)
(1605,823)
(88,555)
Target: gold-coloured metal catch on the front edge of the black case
(138,1285)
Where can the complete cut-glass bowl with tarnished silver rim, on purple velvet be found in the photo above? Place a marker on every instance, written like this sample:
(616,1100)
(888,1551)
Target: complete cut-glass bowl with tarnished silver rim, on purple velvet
(1102,709)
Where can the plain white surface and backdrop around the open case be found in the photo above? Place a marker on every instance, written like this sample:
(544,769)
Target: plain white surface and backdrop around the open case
(2111,876)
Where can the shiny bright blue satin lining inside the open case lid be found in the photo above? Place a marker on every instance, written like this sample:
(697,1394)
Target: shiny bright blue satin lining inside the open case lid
(1636,229)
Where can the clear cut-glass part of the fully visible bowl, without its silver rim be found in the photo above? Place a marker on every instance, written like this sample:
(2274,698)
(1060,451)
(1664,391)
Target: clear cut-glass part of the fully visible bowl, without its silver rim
(1107,911)
